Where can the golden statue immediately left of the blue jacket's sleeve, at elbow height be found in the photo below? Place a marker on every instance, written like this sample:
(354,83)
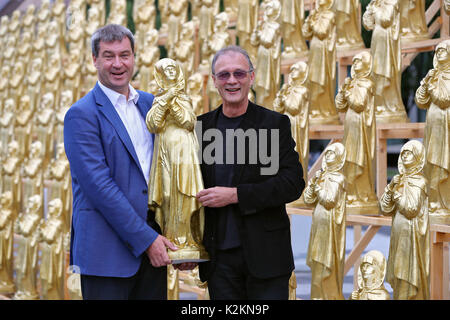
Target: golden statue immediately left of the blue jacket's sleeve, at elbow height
(58,176)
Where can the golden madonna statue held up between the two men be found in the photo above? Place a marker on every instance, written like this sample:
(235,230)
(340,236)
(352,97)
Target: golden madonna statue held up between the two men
(175,176)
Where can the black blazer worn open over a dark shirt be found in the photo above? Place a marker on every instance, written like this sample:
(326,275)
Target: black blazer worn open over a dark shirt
(263,223)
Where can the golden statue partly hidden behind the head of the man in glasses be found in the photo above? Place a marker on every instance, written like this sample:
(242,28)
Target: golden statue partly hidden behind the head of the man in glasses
(219,39)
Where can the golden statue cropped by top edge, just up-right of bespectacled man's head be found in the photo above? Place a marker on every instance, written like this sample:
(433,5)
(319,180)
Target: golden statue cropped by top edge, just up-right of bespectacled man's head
(292,18)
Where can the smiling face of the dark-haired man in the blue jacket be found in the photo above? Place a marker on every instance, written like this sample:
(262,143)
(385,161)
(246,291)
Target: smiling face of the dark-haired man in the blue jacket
(115,64)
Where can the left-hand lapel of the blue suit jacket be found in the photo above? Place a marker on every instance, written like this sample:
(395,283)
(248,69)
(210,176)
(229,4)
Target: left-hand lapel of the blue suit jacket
(106,107)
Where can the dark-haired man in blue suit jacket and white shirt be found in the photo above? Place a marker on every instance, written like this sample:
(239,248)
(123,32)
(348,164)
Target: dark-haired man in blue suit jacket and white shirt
(114,243)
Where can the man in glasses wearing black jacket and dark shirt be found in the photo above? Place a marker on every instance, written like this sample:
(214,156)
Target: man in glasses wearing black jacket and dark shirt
(250,171)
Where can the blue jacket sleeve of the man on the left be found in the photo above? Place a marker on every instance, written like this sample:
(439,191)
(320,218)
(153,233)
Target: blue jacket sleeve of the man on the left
(89,167)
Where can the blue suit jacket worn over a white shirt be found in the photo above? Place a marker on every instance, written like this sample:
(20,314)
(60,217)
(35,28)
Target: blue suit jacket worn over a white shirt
(109,228)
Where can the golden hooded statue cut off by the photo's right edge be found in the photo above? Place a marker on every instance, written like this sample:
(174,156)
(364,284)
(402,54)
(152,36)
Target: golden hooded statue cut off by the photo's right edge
(434,95)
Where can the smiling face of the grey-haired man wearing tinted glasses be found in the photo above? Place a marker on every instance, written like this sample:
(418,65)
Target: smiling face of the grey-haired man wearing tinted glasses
(232,90)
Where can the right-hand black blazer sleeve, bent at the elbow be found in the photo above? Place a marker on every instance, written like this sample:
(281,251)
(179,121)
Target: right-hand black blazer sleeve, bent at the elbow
(285,186)
